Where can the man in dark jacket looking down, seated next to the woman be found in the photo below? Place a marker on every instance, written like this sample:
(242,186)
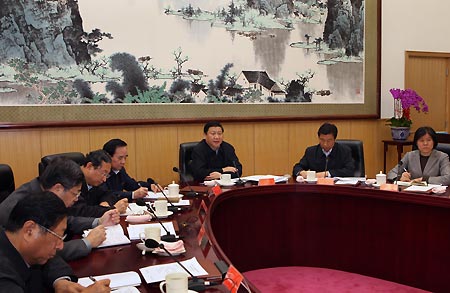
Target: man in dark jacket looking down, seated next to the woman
(328,158)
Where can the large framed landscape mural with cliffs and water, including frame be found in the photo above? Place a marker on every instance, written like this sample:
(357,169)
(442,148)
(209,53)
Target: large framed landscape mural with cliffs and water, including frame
(168,60)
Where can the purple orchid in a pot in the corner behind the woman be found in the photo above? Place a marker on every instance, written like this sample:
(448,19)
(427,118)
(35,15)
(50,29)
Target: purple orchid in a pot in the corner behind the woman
(403,101)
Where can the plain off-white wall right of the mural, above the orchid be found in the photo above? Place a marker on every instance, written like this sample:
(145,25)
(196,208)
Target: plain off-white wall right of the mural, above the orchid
(409,25)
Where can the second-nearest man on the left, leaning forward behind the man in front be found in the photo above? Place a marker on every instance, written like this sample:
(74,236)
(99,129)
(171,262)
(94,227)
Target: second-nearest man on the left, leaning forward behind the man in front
(63,177)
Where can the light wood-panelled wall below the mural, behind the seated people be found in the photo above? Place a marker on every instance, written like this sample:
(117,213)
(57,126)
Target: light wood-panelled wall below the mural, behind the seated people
(263,148)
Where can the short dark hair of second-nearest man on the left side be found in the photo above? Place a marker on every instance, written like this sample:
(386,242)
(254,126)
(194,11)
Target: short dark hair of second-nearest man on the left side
(63,171)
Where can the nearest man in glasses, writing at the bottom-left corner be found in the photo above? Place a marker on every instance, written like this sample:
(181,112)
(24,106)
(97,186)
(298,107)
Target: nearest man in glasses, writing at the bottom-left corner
(32,235)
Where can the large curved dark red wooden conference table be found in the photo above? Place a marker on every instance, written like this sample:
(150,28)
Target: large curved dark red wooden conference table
(397,236)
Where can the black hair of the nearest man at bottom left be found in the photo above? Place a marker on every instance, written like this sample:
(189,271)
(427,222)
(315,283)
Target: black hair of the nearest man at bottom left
(44,208)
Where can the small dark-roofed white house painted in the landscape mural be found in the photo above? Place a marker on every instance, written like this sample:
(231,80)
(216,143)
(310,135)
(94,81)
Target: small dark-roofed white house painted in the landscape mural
(260,80)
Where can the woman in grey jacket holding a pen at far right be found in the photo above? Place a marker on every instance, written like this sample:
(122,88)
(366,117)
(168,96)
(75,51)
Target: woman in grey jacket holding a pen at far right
(424,163)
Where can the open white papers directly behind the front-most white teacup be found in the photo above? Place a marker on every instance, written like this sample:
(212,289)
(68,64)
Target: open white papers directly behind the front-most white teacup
(158,273)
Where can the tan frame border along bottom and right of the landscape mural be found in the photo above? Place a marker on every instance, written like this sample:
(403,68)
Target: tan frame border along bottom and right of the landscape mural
(137,113)
